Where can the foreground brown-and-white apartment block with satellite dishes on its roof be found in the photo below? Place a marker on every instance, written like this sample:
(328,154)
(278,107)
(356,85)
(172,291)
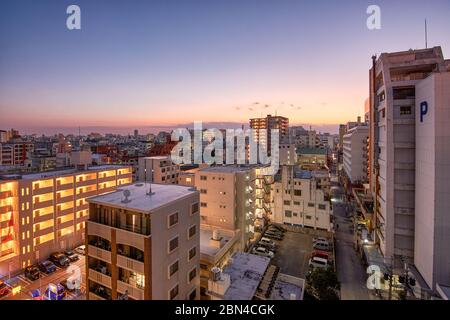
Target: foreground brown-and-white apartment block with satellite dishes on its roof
(143,242)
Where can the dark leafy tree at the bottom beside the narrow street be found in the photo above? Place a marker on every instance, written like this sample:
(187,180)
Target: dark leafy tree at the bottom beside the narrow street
(322,284)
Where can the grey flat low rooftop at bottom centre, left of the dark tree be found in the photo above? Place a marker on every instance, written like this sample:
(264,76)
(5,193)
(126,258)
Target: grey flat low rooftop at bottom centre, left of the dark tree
(246,272)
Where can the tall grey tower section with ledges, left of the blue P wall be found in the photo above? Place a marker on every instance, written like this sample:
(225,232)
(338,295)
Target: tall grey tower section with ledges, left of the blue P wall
(393,108)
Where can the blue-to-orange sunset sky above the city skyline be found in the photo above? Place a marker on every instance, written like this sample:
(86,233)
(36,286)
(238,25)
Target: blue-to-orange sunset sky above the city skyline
(167,63)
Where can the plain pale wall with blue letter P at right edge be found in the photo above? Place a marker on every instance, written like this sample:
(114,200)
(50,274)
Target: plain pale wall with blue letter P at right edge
(432,180)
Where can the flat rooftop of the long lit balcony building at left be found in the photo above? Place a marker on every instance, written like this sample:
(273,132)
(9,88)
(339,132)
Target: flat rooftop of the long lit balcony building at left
(56,173)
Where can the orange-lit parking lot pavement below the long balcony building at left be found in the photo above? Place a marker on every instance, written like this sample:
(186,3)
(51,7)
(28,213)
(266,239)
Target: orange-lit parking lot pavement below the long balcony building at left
(56,277)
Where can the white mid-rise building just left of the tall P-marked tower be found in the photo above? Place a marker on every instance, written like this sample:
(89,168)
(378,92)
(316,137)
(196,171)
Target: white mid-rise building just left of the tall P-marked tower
(355,154)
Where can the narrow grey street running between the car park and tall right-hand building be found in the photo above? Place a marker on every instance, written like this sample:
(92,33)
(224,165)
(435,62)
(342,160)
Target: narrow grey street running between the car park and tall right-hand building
(351,273)
